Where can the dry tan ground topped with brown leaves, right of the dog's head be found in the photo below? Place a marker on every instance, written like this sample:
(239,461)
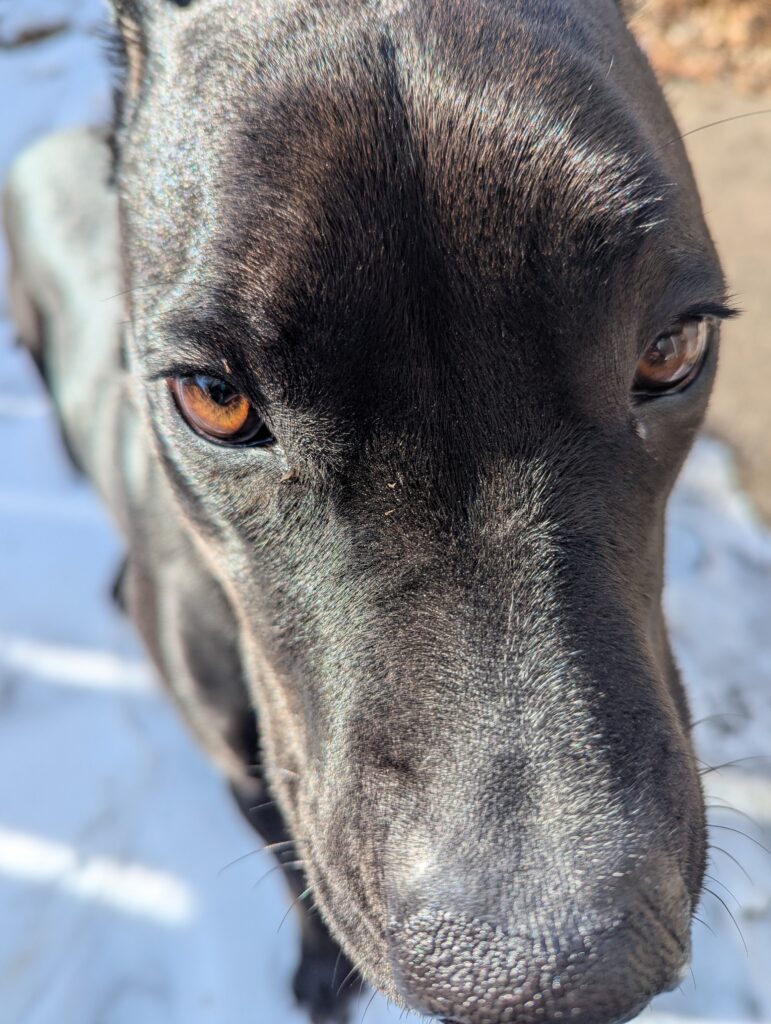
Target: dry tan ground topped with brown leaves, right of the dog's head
(724,48)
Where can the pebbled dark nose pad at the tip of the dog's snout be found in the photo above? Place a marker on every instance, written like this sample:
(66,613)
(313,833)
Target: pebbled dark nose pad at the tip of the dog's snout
(462,970)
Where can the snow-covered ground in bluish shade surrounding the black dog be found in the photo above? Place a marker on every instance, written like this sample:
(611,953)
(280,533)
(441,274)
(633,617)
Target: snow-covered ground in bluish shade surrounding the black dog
(122,897)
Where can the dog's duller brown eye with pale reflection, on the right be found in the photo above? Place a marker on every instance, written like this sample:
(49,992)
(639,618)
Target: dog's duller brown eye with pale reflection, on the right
(674,360)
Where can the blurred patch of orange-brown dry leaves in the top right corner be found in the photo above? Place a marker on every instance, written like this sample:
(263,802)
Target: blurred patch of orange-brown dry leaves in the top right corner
(706,40)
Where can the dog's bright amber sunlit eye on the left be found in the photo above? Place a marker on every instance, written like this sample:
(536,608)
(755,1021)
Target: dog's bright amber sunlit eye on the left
(218,412)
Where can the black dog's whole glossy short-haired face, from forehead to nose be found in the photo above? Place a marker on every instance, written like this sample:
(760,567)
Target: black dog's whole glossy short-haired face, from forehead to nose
(425,318)
